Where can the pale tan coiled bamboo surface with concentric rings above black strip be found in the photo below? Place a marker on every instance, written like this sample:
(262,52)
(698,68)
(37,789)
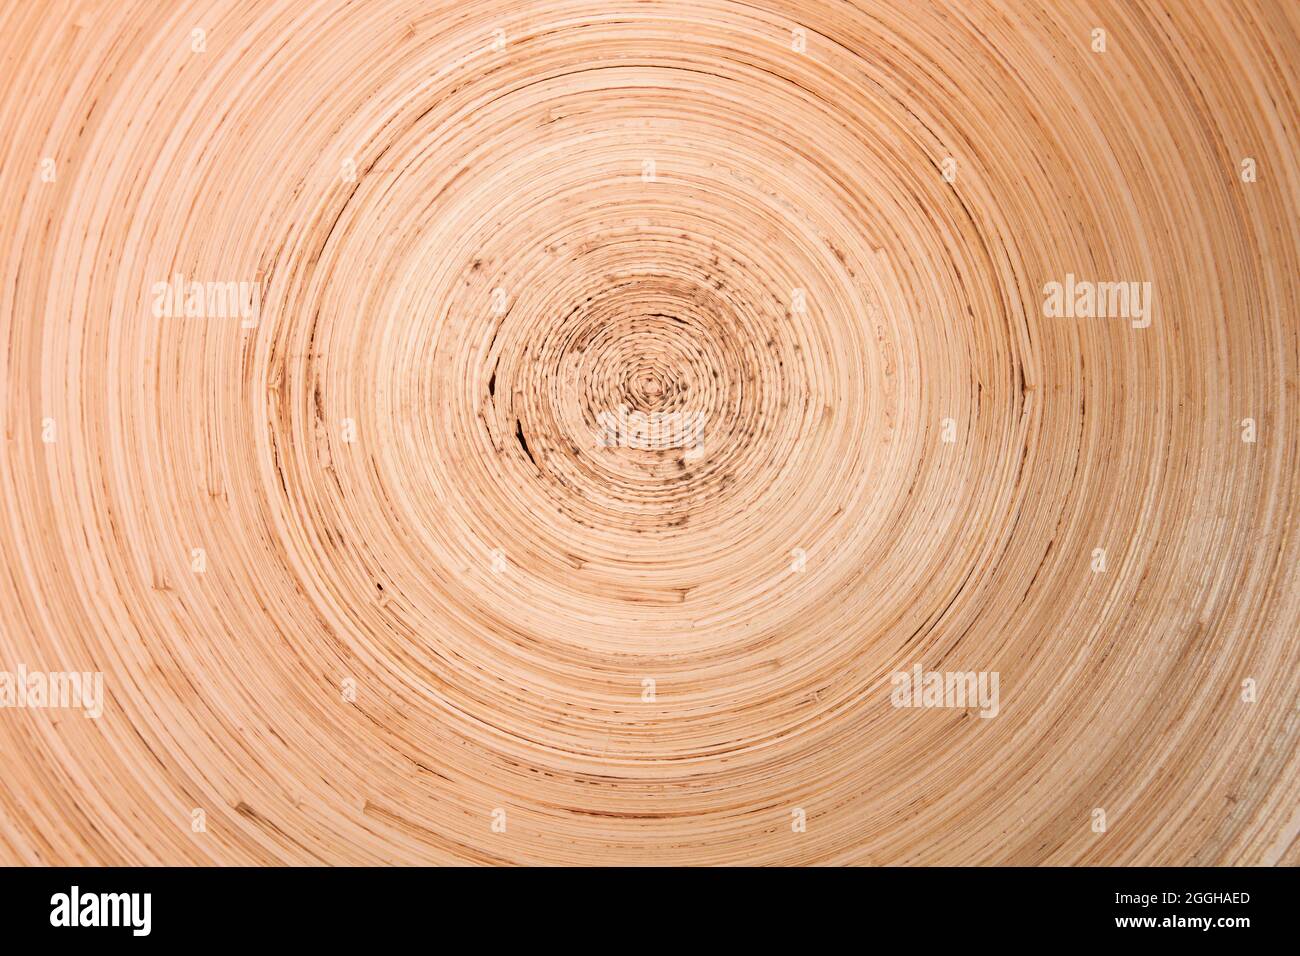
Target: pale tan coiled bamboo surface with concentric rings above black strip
(366,574)
